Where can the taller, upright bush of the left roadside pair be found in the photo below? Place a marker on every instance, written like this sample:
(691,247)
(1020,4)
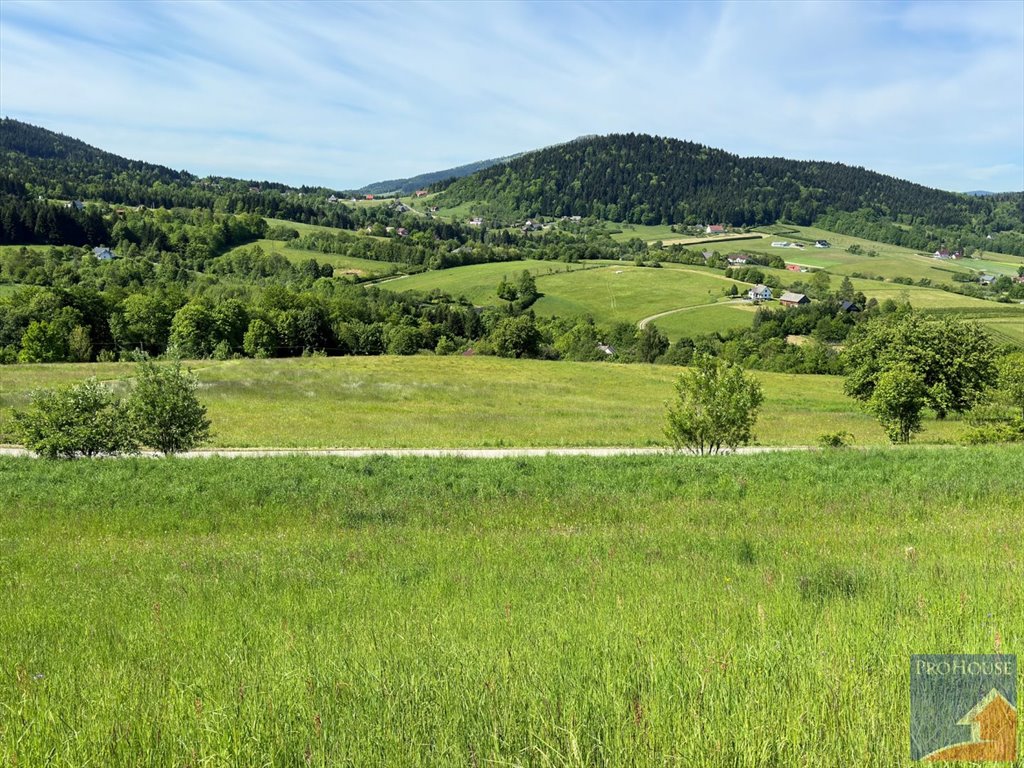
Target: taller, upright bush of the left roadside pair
(164,410)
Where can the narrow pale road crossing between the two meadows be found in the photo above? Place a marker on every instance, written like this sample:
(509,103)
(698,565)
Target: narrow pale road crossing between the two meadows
(435,453)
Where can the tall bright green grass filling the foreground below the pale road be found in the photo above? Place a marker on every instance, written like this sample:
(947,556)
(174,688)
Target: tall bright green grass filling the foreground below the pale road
(744,612)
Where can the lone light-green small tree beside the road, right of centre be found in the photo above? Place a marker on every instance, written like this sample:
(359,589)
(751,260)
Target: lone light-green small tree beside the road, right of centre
(715,409)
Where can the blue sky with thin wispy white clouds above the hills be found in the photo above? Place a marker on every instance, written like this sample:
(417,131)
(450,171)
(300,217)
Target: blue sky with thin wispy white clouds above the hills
(343,95)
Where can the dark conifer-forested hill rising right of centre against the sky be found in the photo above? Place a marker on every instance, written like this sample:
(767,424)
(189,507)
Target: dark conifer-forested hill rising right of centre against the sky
(653,181)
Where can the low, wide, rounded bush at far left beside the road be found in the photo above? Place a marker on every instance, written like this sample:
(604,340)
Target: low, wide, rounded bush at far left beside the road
(80,420)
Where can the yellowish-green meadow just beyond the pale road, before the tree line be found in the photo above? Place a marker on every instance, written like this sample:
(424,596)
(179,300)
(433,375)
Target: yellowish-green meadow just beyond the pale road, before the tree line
(429,402)
